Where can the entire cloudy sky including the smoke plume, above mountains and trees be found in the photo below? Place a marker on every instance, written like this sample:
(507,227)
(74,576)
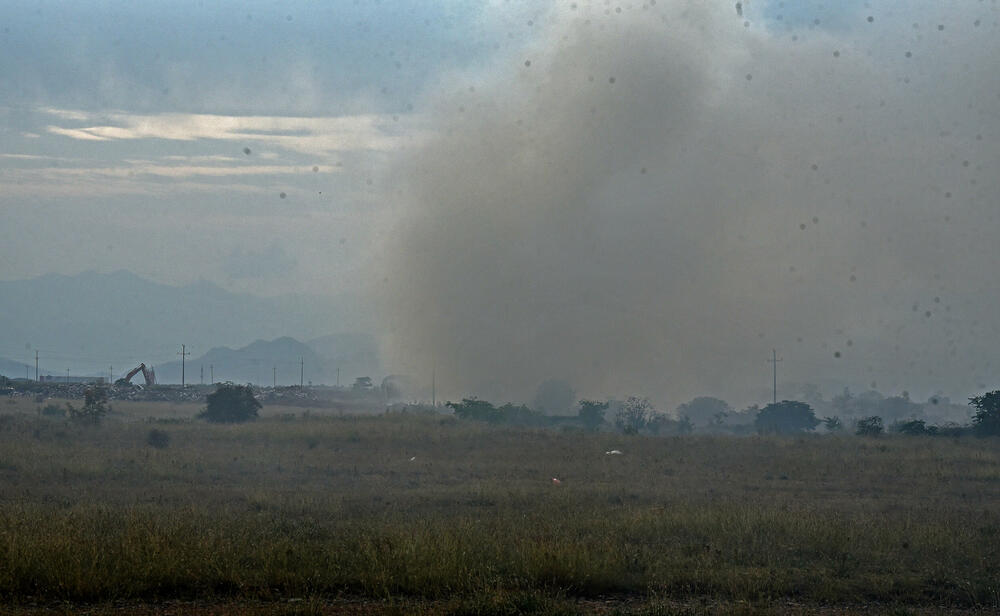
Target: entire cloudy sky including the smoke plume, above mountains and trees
(636,197)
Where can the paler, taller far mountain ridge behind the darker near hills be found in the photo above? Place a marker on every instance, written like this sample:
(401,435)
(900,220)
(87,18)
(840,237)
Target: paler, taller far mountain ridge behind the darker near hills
(90,321)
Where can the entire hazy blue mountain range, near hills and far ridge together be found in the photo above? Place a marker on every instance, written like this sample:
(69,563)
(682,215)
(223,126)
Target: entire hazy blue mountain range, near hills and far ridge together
(92,321)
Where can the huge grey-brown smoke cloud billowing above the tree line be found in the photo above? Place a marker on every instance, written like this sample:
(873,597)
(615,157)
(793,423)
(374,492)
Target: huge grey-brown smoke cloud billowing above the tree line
(646,198)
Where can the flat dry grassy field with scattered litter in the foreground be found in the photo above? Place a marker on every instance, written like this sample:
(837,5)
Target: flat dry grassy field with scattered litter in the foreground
(302,512)
